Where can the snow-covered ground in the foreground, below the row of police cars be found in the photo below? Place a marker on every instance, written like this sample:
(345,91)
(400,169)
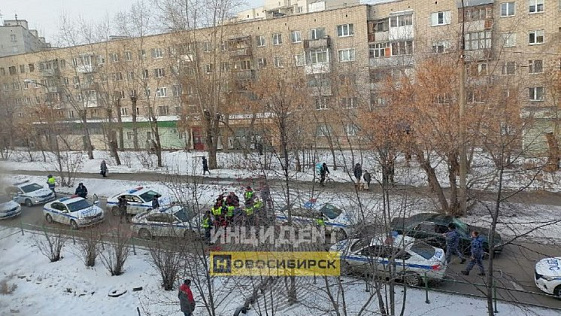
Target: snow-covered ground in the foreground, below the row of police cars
(68,288)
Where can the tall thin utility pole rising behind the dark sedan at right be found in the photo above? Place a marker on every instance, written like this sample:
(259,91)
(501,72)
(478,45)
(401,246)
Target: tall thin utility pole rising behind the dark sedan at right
(462,105)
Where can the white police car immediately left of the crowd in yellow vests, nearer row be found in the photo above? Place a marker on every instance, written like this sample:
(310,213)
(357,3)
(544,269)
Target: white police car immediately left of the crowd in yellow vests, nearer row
(171,221)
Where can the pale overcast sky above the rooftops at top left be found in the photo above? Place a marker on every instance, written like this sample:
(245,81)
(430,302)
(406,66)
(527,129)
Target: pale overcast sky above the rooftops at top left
(45,15)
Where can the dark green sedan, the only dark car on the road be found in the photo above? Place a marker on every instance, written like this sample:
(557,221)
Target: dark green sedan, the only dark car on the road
(431,227)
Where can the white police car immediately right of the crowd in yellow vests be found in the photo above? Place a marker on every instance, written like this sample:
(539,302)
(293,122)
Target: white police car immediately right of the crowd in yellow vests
(336,220)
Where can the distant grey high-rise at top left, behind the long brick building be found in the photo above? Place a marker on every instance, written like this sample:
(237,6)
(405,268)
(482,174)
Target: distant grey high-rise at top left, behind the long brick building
(17,38)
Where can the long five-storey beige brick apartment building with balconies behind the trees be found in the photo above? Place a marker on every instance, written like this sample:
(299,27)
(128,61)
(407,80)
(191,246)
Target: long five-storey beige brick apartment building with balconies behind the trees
(517,42)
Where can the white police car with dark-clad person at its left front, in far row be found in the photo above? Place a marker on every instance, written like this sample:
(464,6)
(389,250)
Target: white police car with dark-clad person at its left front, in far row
(138,200)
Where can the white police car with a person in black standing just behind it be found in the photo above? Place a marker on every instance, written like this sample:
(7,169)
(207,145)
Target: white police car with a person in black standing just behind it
(74,211)
